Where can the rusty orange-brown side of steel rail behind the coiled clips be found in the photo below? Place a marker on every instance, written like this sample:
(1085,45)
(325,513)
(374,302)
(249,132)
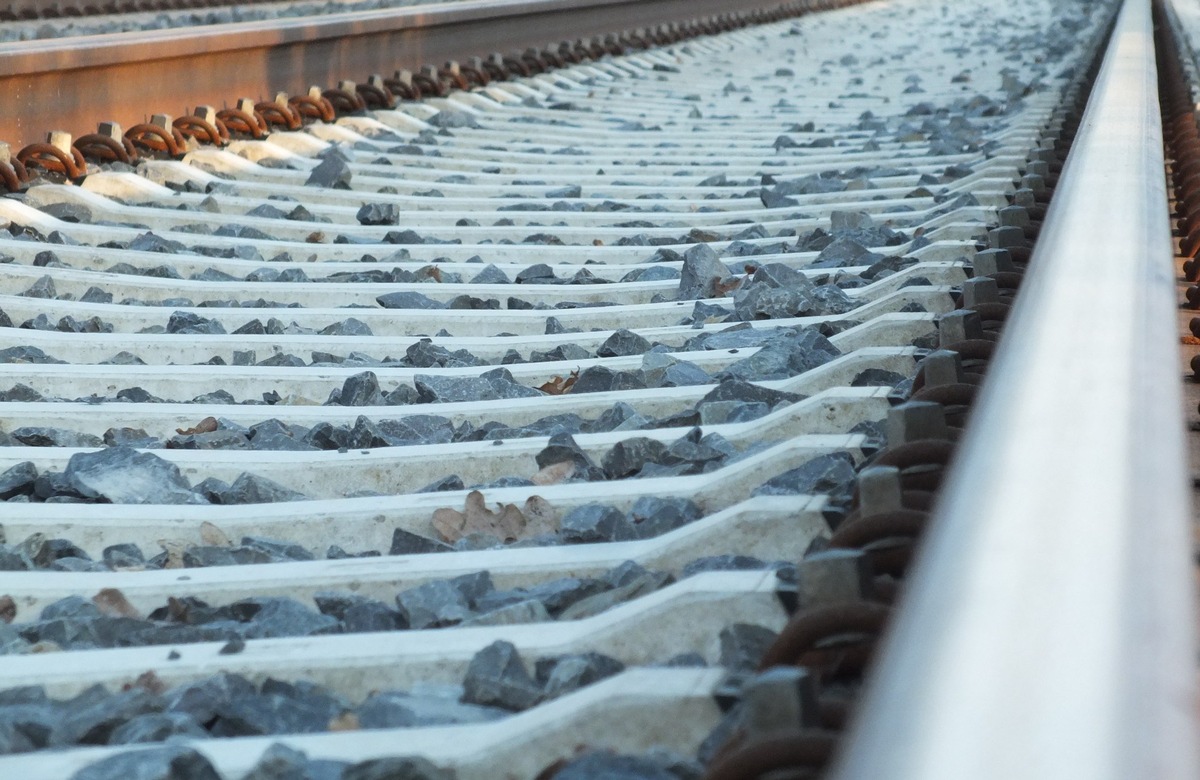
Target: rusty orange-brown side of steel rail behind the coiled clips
(75,83)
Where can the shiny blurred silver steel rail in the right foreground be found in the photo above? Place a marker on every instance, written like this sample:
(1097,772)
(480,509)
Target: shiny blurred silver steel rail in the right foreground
(1048,626)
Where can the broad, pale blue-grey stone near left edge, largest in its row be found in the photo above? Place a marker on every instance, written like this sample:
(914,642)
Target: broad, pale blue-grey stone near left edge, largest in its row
(123,476)
